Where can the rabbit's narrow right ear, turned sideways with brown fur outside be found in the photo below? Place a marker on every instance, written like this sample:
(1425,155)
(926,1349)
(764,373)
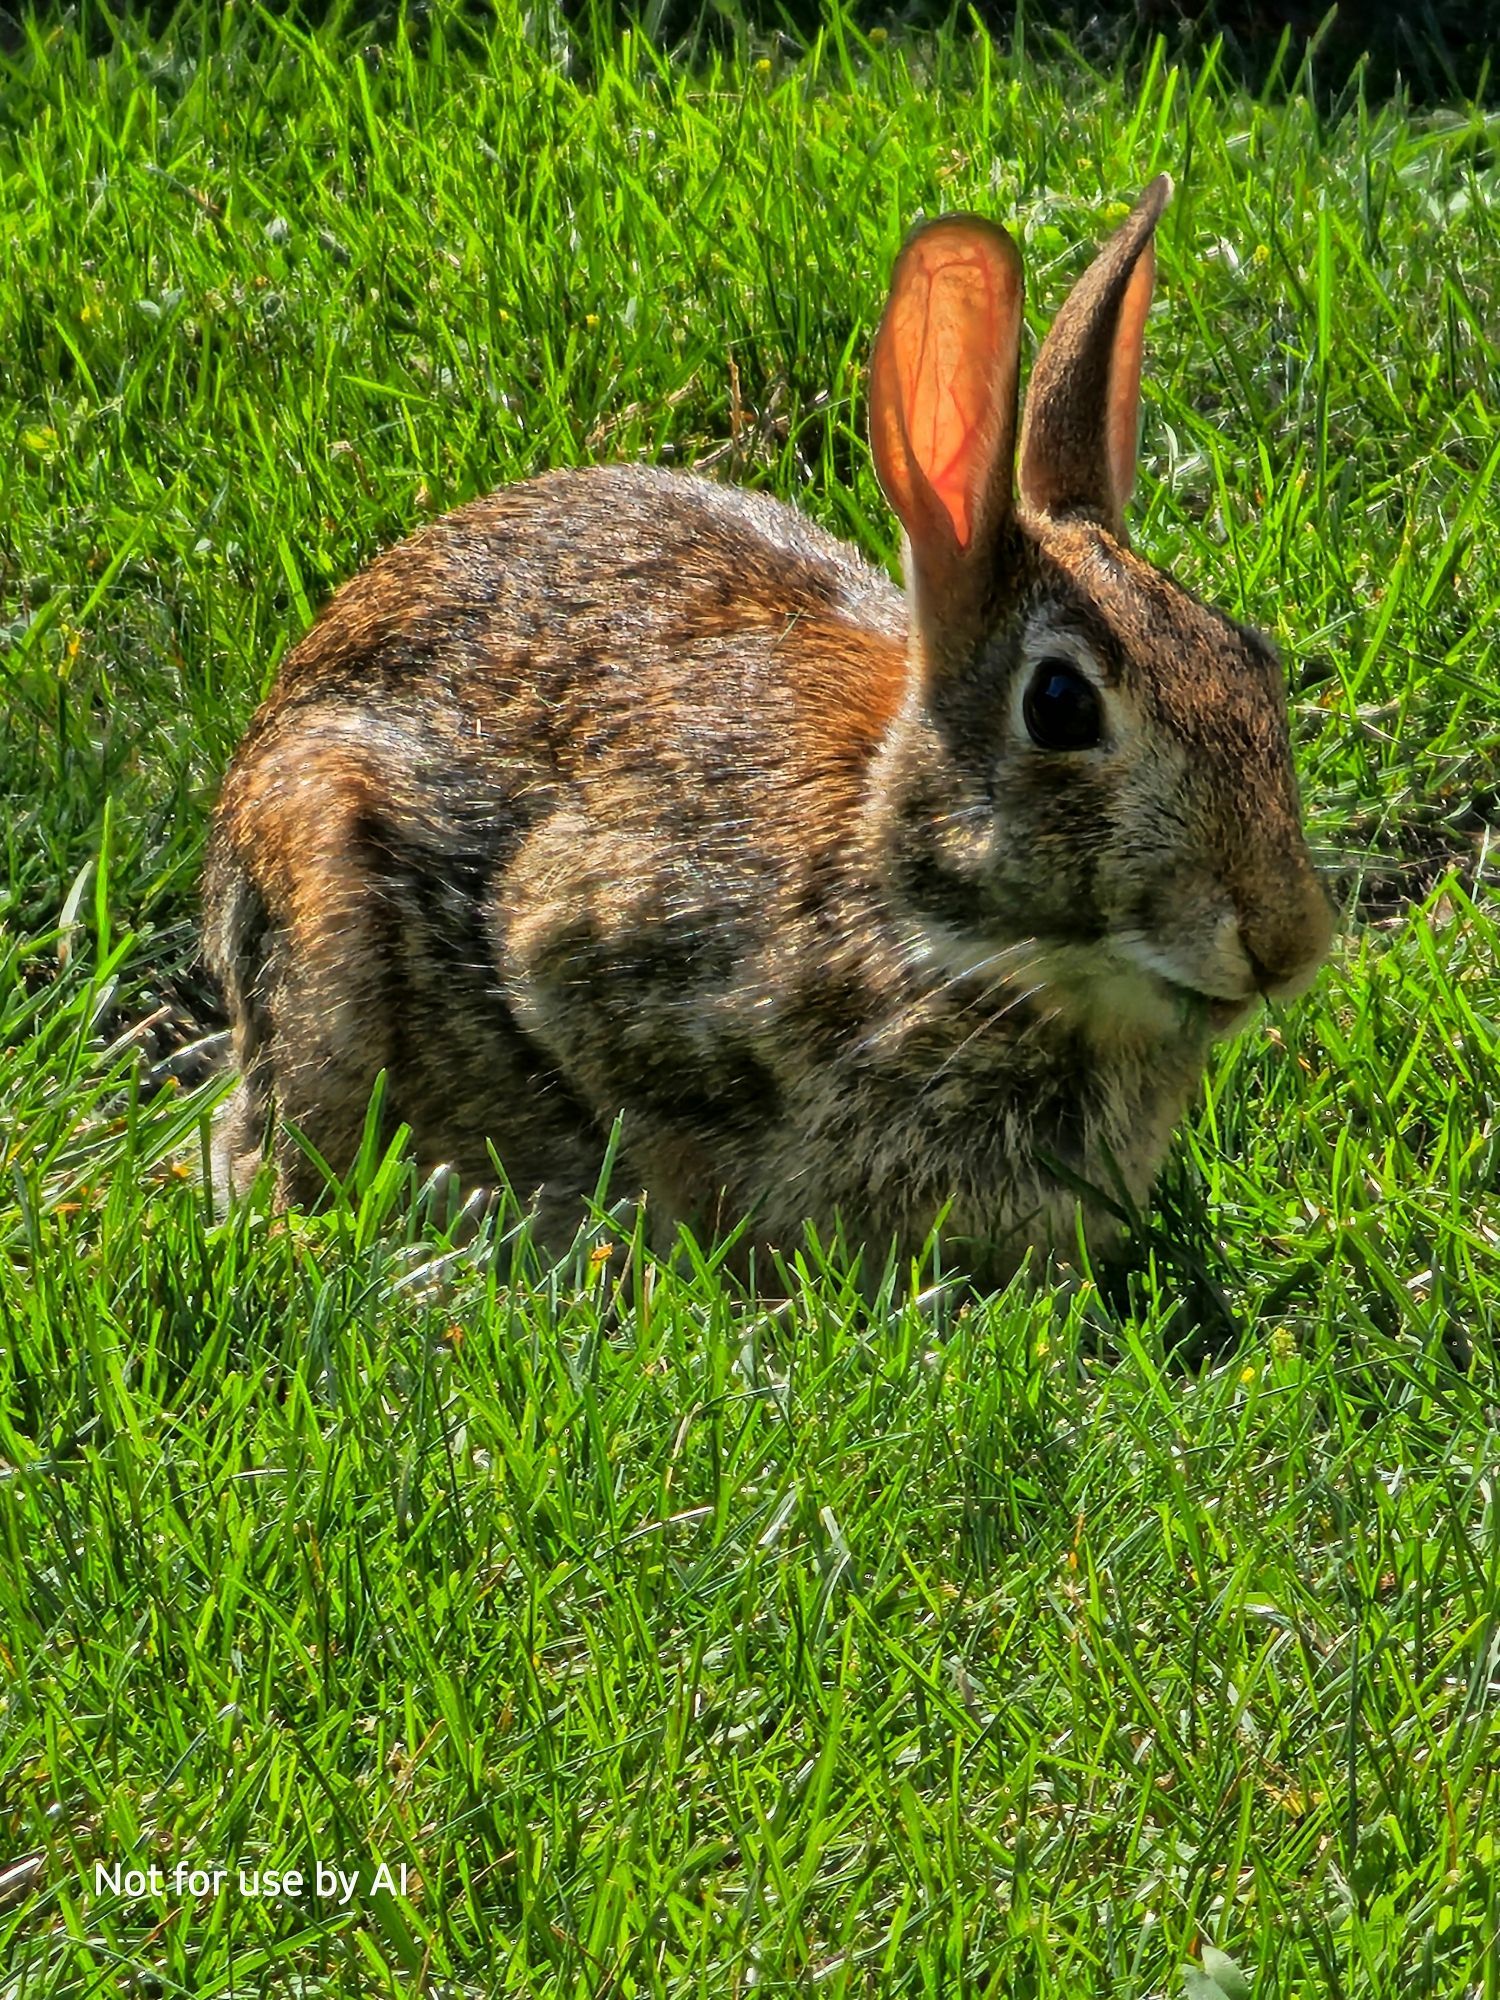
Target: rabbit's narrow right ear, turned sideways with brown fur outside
(1083,405)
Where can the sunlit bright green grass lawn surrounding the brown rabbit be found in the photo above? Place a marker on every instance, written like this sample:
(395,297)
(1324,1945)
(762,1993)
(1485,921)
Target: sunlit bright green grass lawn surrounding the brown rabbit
(677,1643)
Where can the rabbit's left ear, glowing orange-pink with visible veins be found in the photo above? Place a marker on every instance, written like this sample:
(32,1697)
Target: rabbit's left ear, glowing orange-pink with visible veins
(943,405)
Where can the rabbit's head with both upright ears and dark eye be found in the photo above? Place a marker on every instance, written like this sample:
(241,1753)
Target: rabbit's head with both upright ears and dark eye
(1091,787)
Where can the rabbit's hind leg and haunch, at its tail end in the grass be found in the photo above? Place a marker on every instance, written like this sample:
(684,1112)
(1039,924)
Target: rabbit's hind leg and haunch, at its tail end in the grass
(349,923)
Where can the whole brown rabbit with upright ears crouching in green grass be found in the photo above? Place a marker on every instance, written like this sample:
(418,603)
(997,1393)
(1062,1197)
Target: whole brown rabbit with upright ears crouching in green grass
(625,793)
